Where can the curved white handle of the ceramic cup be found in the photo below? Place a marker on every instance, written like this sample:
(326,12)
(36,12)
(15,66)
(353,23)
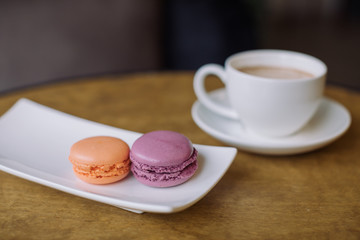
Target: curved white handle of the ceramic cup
(199,88)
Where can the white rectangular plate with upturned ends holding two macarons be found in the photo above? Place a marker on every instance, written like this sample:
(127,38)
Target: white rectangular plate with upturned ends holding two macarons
(35,141)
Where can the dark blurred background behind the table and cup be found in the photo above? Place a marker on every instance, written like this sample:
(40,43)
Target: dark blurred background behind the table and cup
(42,41)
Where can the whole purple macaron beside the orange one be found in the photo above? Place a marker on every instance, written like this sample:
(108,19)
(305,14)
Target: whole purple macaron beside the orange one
(163,159)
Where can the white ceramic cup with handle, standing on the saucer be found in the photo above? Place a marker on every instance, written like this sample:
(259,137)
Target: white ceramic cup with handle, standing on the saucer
(266,106)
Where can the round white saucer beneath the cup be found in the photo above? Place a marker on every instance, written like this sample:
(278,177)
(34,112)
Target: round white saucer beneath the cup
(329,123)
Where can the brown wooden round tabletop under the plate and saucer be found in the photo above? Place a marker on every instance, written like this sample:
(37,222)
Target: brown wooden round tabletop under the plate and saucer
(308,196)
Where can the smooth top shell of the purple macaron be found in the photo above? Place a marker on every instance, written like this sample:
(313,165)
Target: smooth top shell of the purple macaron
(161,148)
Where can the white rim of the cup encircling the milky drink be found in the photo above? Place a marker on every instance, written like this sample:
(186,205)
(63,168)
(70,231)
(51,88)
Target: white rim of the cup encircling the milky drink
(231,59)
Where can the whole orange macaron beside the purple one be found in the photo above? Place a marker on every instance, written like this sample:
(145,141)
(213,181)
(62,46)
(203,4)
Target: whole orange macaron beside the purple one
(100,159)
